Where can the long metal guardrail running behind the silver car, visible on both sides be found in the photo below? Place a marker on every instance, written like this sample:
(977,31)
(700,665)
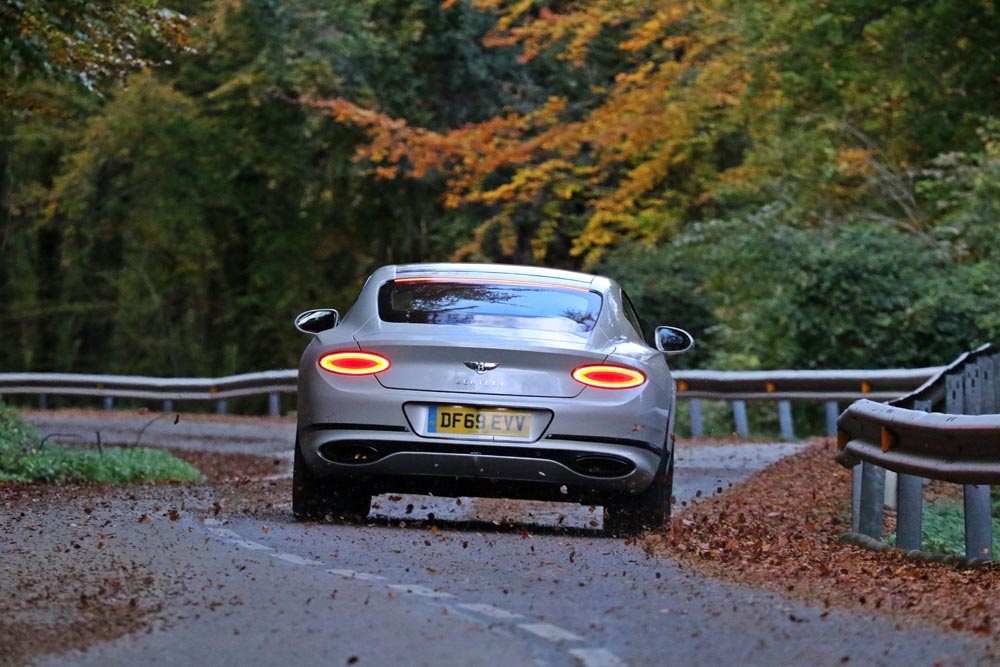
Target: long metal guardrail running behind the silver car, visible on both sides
(736,387)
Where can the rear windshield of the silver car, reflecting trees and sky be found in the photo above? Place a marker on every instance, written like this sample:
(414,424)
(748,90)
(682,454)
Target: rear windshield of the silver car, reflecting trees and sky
(536,306)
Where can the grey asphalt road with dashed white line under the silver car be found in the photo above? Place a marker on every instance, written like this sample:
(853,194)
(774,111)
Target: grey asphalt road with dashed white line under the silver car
(529,591)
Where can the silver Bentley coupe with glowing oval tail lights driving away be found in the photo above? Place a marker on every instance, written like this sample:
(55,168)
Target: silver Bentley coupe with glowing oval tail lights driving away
(486,380)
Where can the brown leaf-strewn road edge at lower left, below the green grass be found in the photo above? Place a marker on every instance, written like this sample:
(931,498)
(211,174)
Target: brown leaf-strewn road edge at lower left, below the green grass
(85,592)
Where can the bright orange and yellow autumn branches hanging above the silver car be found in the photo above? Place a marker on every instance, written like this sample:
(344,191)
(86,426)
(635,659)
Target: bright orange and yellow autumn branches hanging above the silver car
(606,168)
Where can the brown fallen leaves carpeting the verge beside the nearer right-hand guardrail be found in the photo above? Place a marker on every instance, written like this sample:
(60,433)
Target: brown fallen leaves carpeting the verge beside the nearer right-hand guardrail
(780,528)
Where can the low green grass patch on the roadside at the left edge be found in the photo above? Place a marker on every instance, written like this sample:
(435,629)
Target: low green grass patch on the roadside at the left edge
(24,458)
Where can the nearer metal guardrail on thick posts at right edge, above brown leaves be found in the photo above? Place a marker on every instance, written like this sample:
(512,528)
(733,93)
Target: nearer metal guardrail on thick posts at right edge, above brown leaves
(947,429)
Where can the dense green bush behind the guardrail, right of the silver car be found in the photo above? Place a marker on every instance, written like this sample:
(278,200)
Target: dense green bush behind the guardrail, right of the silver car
(759,293)
